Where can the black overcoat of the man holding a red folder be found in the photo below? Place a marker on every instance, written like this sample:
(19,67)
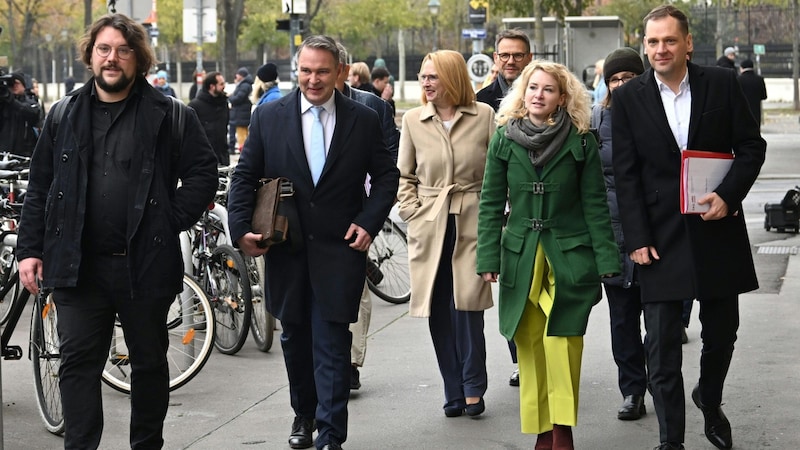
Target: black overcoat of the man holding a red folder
(699,259)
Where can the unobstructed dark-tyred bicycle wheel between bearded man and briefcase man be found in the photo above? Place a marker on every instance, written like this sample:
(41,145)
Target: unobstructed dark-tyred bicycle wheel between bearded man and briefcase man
(231,298)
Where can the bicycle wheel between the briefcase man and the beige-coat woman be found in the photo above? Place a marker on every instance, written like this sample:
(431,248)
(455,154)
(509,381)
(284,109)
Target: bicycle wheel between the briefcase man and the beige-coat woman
(387,266)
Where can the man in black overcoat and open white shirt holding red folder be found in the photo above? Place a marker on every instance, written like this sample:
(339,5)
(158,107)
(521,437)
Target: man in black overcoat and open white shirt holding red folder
(677,105)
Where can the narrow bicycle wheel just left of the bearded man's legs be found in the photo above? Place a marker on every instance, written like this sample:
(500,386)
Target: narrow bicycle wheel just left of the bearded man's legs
(46,358)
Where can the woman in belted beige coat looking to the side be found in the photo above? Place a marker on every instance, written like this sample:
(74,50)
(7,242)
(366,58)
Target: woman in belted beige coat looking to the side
(441,159)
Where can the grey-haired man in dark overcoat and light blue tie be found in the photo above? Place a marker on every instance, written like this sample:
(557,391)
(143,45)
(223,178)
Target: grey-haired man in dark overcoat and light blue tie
(315,279)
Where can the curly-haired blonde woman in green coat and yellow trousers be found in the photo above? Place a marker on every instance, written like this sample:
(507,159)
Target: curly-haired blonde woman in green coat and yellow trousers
(556,245)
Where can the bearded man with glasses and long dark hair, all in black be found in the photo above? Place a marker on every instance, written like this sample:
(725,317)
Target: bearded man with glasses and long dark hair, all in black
(100,226)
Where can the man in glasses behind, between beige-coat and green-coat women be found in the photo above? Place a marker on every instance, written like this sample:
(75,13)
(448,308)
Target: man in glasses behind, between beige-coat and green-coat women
(512,54)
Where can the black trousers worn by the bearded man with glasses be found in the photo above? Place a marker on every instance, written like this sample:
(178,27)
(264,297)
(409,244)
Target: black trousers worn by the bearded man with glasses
(86,316)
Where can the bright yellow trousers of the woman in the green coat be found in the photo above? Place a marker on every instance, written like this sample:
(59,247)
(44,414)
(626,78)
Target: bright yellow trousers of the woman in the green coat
(549,366)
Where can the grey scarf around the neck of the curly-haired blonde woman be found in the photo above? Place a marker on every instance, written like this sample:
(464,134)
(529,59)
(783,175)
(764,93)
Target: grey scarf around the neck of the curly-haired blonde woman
(542,142)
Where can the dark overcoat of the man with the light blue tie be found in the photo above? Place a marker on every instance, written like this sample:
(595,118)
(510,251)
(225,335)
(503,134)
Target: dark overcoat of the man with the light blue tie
(316,257)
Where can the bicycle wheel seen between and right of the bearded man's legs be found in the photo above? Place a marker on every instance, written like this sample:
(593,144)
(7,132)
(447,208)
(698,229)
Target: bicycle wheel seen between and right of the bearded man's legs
(190,330)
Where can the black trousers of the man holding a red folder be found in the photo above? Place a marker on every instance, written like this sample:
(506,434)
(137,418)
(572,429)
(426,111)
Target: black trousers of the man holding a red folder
(719,319)
